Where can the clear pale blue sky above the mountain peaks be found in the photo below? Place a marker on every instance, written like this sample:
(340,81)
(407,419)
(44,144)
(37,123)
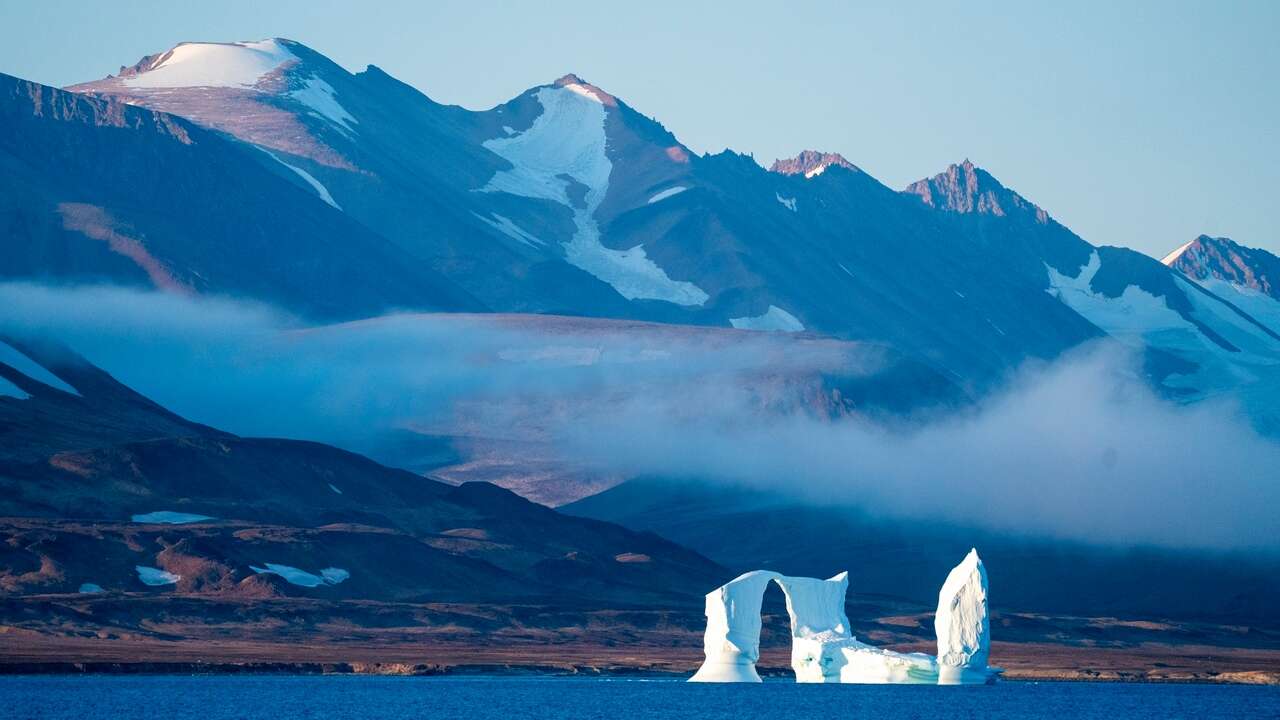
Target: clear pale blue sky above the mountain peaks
(1135,124)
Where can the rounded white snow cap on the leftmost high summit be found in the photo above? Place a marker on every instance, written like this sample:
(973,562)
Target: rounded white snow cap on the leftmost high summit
(214,65)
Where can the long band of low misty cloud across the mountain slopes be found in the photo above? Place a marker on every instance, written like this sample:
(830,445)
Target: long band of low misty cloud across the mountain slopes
(1078,449)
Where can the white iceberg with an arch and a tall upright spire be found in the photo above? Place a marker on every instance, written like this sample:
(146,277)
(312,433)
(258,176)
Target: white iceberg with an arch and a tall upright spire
(822,648)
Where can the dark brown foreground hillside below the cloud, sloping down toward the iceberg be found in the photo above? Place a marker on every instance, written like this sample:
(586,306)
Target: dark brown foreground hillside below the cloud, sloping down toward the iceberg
(106,489)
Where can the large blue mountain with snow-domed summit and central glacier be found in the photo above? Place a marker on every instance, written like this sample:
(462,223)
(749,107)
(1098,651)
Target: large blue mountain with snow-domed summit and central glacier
(568,200)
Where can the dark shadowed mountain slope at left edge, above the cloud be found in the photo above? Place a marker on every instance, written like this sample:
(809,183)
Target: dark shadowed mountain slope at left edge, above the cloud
(94,190)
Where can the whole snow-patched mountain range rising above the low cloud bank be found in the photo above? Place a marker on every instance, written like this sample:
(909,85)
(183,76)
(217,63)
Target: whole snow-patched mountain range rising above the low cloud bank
(563,200)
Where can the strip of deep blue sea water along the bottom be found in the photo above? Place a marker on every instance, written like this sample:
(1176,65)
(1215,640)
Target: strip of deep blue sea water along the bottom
(481,699)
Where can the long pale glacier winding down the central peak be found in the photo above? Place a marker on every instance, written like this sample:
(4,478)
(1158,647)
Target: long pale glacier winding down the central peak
(569,140)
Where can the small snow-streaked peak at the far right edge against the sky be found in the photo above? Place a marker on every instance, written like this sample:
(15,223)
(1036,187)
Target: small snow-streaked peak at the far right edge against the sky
(1247,277)
